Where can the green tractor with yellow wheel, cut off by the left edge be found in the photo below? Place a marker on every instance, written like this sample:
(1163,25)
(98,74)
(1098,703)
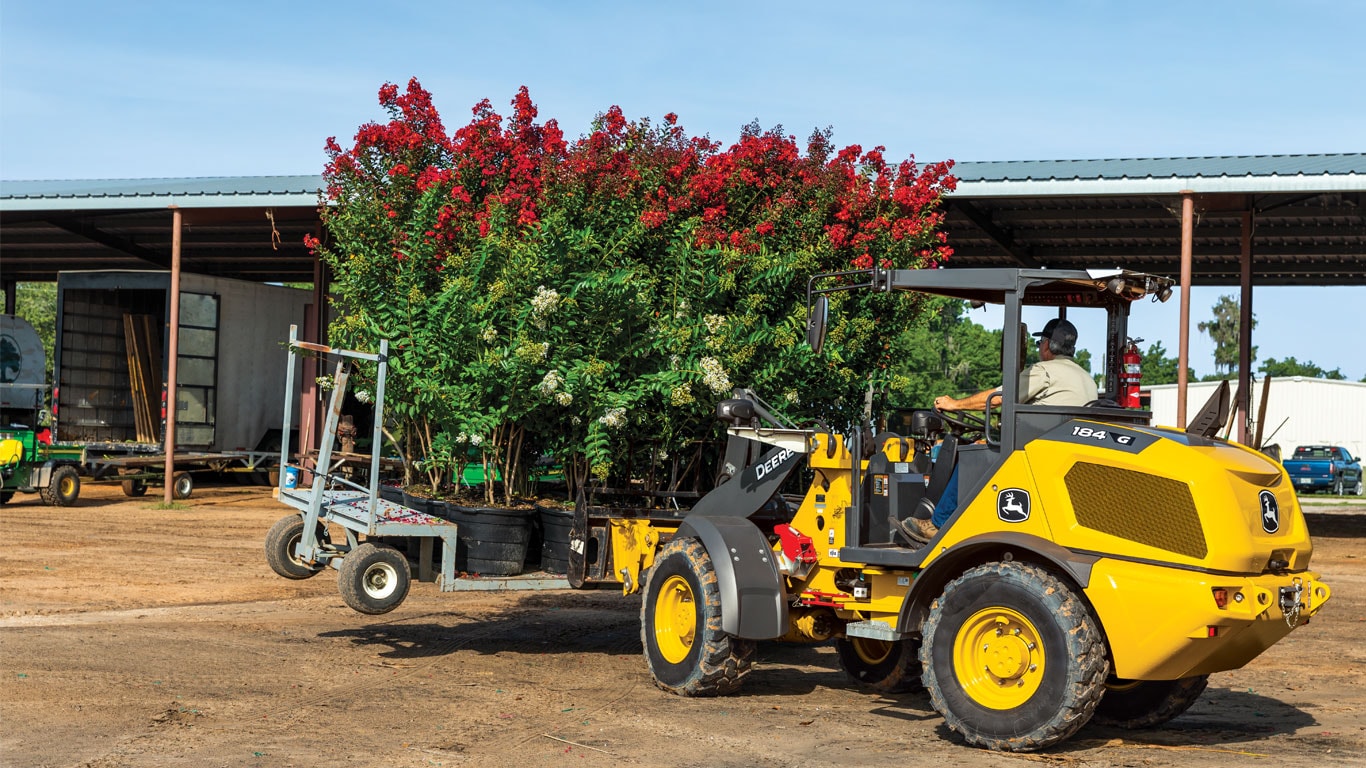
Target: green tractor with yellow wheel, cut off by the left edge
(28,463)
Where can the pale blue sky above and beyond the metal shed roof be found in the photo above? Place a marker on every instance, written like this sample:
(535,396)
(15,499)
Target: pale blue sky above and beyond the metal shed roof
(245,88)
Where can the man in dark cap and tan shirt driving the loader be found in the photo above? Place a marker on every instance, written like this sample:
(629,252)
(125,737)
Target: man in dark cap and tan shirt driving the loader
(1057,381)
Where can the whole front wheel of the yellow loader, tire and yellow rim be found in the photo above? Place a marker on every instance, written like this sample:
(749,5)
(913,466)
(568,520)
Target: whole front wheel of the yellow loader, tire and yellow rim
(681,627)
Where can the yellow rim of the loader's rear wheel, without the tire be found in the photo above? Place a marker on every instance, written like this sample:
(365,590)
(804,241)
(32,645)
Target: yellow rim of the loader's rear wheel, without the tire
(999,659)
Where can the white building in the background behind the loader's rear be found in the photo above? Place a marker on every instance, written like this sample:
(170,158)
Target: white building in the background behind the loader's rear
(1300,412)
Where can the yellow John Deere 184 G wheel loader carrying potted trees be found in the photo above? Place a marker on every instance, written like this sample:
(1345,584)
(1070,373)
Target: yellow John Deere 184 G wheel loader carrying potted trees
(1098,566)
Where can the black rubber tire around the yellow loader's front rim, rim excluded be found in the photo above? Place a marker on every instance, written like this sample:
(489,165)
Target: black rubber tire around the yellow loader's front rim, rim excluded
(726,659)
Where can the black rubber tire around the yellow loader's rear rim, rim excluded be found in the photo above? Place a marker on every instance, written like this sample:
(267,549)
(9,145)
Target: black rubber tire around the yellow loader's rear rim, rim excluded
(1085,654)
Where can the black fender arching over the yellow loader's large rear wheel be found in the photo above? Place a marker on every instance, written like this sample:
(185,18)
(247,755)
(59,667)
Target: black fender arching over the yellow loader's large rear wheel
(971,553)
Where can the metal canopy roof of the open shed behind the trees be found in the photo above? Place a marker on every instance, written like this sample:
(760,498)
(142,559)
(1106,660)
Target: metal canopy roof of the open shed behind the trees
(1311,228)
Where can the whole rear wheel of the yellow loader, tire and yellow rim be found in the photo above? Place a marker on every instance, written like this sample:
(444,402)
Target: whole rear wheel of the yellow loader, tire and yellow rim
(1014,659)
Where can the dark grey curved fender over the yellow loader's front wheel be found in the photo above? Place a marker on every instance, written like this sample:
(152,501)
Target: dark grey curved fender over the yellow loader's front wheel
(753,601)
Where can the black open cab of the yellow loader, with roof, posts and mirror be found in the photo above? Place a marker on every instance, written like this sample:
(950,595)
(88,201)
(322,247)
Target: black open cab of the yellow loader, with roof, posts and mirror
(1096,301)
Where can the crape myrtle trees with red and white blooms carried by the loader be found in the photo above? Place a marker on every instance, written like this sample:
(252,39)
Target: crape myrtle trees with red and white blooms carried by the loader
(595,299)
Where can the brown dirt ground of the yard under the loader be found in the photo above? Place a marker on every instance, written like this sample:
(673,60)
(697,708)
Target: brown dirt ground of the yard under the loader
(136,637)
